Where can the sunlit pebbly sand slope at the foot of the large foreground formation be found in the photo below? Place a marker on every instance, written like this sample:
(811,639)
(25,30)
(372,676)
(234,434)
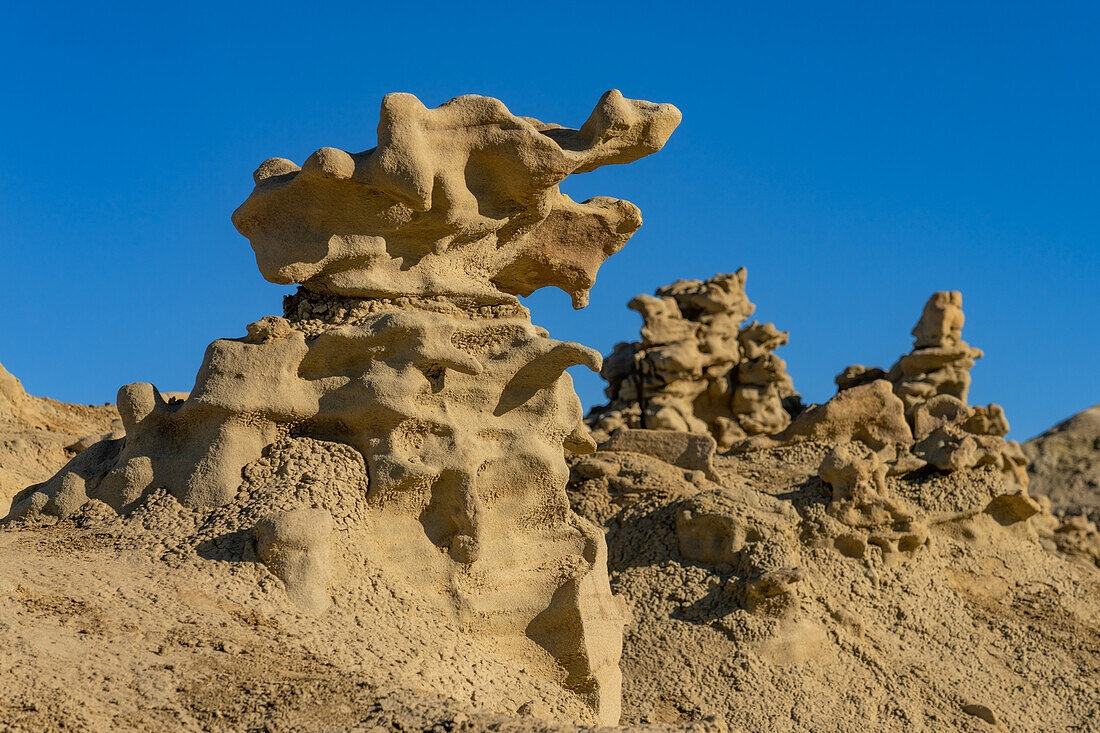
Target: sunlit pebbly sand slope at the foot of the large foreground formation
(108,623)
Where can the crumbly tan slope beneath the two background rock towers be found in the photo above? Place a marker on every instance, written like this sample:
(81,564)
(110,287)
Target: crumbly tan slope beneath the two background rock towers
(755,603)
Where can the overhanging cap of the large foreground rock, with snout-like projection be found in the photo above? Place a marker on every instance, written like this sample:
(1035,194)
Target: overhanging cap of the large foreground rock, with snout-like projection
(458,201)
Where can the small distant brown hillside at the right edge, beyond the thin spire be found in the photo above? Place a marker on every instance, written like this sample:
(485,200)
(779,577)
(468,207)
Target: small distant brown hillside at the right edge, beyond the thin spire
(1065,465)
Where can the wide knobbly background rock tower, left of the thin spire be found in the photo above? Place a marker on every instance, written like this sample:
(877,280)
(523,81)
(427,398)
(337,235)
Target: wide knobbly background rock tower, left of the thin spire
(697,369)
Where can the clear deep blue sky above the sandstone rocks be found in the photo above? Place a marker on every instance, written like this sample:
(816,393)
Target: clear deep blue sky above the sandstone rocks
(854,157)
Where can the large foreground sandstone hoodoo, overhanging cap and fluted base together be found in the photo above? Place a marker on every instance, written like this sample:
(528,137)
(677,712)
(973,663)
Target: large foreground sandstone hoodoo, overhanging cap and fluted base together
(406,345)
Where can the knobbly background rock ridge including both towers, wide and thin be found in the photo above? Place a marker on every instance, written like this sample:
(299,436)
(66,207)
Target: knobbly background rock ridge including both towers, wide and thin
(699,370)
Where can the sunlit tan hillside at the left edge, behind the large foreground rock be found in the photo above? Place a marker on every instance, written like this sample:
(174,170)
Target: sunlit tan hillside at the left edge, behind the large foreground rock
(38,435)
